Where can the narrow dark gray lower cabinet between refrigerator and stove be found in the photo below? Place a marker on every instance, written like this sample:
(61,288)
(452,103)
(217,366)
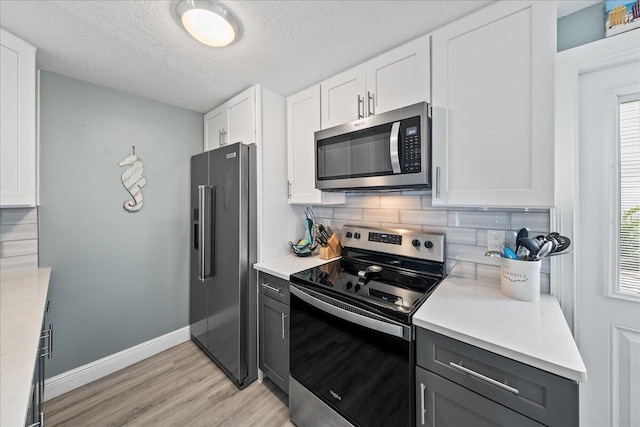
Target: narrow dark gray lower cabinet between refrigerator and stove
(273,309)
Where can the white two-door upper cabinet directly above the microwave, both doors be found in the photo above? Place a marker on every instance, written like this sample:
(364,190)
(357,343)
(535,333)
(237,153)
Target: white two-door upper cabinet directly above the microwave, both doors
(392,80)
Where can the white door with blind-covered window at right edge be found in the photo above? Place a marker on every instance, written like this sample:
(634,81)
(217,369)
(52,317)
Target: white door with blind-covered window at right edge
(608,244)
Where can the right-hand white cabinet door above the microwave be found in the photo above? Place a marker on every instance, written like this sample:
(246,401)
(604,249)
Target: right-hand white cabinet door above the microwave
(399,77)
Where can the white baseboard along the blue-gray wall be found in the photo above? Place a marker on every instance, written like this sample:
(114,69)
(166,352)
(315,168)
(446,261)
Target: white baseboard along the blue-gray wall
(67,381)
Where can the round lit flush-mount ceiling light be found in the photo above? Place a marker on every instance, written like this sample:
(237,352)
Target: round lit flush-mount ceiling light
(209,22)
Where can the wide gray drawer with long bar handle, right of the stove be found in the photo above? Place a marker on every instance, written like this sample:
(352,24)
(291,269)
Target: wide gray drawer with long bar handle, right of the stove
(545,397)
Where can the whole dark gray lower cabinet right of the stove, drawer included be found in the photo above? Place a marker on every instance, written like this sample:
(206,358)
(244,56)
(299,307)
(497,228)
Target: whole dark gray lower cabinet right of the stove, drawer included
(458,384)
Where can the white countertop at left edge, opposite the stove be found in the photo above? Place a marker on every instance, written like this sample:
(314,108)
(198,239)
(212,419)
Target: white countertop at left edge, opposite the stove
(23,295)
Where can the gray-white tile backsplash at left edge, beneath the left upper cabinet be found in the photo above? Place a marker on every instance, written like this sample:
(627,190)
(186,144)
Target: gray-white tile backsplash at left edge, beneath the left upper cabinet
(18,239)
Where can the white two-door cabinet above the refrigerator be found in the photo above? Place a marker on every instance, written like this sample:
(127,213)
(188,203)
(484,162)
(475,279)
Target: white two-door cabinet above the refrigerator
(234,121)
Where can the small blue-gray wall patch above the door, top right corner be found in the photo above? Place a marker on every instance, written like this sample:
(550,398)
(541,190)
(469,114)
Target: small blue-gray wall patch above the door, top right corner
(581,27)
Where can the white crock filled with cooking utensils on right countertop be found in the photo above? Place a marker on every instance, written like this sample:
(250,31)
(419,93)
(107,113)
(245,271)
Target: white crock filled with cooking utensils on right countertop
(520,268)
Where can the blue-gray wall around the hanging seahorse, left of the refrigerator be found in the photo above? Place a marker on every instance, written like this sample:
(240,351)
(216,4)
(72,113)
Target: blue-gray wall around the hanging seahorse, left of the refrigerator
(118,278)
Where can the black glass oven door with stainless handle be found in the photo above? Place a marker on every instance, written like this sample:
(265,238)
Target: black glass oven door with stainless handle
(358,363)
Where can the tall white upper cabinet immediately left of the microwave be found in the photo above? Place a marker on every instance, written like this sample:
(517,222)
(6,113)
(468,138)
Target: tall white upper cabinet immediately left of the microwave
(303,119)
